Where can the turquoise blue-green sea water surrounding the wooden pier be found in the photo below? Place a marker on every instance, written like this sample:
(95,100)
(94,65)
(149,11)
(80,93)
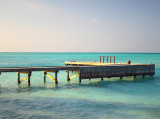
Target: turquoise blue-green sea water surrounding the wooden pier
(94,99)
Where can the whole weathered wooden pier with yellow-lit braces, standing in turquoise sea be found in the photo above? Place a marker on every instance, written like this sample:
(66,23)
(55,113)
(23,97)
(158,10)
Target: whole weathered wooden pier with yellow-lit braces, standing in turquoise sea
(85,70)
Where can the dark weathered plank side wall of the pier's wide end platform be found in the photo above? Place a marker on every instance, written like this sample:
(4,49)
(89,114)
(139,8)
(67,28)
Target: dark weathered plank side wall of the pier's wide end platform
(116,71)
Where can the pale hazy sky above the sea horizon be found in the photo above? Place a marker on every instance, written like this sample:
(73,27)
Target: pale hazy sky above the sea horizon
(80,26)
